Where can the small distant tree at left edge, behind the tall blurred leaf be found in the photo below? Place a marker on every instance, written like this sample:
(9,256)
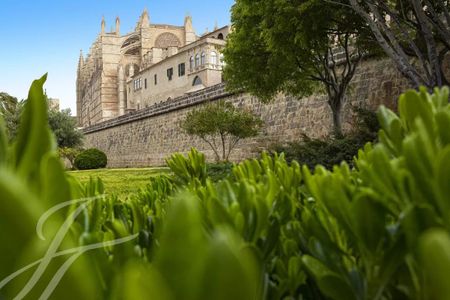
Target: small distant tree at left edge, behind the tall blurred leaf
(10,110)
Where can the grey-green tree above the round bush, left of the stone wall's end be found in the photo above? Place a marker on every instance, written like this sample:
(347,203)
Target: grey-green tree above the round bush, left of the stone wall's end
(64,126)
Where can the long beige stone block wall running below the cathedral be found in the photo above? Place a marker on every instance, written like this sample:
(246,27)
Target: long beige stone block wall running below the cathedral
(148,136)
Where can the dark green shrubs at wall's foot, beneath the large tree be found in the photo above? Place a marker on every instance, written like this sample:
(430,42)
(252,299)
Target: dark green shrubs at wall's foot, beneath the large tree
(331,151)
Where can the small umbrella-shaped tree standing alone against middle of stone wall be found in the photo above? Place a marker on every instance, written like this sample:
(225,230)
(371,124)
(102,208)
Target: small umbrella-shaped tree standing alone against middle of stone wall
(222,126)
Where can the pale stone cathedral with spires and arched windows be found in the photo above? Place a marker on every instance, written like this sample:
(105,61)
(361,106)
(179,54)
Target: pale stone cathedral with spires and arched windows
(152,64)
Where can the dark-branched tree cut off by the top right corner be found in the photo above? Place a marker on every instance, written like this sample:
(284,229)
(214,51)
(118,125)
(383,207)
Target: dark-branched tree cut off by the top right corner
(415,34)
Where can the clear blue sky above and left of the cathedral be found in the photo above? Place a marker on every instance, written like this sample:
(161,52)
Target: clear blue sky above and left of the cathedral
(39,36)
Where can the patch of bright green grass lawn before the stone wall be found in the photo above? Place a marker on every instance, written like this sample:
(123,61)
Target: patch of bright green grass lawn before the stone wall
(120,182)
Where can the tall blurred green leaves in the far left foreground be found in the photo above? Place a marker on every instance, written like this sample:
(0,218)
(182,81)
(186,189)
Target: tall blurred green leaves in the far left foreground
(32,180)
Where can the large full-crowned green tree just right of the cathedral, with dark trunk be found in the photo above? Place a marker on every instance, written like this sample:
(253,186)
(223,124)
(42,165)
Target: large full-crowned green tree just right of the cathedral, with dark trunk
(294,47)
